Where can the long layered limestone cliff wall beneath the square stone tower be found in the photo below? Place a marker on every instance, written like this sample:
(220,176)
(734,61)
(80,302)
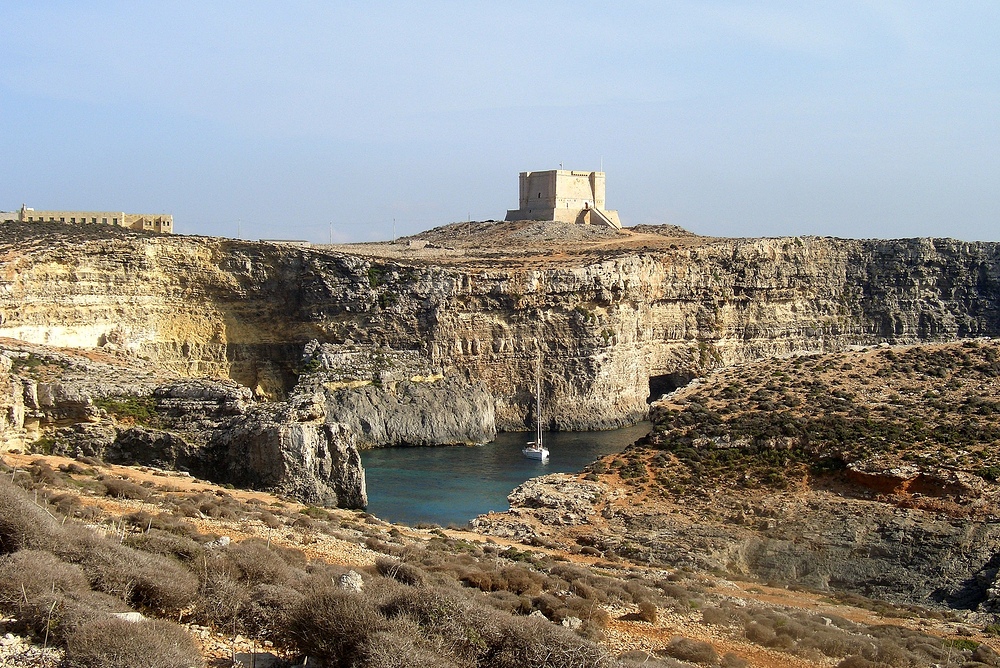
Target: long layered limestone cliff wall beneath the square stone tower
(602,327)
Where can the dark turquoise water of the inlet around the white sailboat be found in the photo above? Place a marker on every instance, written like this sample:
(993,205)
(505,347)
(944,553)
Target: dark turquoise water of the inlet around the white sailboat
(452,485)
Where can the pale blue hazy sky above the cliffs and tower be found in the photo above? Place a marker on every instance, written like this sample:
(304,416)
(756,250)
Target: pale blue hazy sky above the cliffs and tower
(359,121)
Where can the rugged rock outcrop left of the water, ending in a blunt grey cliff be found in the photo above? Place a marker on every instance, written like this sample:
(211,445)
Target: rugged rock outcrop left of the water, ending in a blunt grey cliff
(212,428)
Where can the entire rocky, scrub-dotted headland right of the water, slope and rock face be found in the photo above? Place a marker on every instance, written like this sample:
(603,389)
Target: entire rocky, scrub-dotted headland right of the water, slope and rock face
(871,472)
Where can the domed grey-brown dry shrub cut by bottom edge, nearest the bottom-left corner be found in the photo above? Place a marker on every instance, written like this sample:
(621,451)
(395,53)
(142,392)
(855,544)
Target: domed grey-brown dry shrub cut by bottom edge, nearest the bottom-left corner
(113,643)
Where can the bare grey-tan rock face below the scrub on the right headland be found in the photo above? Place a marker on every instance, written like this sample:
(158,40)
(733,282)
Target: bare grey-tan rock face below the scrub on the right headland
(817,539)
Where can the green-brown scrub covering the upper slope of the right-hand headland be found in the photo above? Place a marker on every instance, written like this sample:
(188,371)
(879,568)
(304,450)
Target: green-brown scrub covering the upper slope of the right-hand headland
(772,429)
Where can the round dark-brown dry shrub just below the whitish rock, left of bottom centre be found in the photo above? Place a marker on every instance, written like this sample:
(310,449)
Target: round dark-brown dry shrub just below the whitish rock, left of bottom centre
(334,625)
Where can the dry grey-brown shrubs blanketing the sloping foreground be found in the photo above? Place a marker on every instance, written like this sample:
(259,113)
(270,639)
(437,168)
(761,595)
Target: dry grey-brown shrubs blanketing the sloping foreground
(439,601)
